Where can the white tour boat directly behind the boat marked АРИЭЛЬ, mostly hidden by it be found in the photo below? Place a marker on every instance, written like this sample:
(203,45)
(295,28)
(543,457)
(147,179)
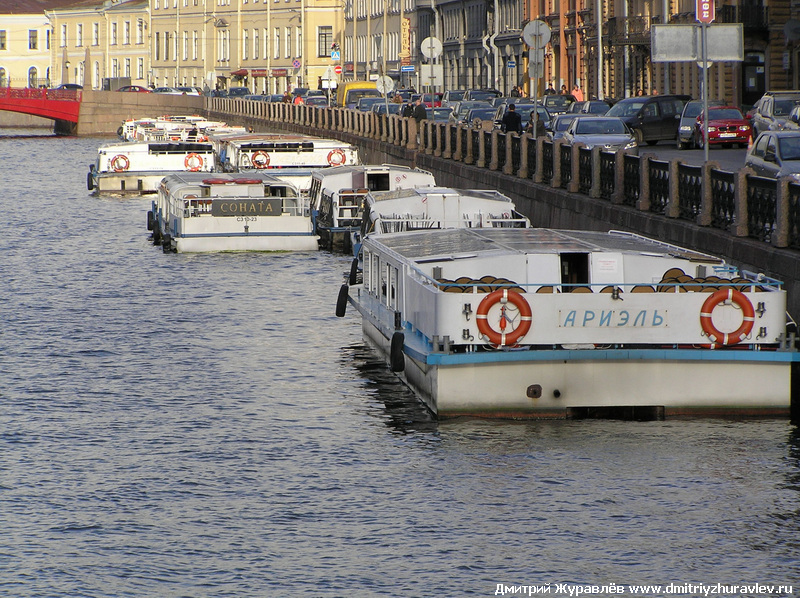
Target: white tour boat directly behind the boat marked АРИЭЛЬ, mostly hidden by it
(435,208)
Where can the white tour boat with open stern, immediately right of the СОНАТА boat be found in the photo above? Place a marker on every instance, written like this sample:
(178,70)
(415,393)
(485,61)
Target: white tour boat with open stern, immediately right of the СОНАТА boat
(338,194)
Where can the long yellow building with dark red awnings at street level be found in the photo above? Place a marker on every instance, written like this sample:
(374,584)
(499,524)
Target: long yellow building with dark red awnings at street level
(267,45)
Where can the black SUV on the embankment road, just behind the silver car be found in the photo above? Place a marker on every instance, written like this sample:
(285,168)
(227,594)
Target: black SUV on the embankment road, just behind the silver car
(652,118)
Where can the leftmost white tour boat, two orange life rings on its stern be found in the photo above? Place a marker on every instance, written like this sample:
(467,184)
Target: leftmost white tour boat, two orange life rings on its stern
(138,166)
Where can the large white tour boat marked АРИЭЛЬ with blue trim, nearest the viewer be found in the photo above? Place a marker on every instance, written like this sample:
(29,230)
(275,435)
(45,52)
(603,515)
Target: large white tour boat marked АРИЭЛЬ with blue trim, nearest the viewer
(534,322)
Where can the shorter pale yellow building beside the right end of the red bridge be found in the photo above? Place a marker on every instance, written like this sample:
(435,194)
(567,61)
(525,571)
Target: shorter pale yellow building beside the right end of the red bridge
(100,45)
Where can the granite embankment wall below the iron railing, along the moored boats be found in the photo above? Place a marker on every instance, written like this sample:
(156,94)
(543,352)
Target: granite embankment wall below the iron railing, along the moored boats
(103,112)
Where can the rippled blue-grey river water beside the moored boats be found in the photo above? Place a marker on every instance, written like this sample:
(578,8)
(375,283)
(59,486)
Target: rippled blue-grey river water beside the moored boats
(203,425)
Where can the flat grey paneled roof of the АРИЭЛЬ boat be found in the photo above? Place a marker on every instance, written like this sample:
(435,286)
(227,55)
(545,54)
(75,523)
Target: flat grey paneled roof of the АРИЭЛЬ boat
(446,244)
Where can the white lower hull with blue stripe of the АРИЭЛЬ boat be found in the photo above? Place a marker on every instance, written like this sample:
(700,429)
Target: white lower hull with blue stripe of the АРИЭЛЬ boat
(567,383)
